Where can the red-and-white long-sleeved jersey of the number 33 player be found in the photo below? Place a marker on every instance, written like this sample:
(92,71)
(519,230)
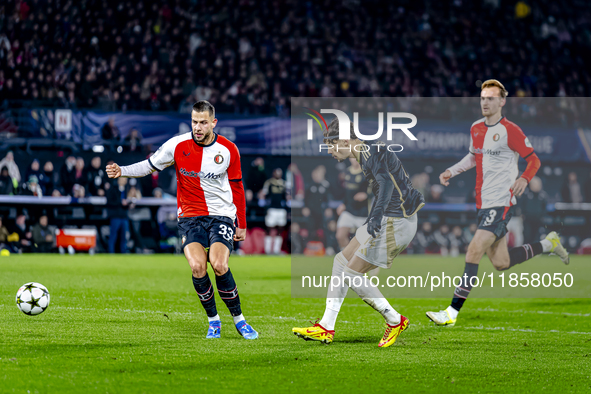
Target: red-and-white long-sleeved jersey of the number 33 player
(209,177)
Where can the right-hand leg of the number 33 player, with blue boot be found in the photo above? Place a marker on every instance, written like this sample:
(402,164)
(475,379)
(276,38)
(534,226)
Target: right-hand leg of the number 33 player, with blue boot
(219,255)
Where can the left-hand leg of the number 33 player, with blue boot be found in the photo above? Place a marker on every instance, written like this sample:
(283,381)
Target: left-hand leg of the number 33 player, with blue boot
(197,258)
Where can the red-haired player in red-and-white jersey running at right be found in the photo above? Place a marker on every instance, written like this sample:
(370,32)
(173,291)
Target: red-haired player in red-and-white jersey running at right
(495,147)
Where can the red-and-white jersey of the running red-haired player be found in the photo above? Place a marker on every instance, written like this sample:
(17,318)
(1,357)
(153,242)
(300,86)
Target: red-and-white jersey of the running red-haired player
(497,149)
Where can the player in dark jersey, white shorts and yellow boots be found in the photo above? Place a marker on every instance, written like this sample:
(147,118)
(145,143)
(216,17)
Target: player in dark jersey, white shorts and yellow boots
(390,228)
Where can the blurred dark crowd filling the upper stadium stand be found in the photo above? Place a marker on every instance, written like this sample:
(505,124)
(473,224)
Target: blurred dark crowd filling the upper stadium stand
(250,56)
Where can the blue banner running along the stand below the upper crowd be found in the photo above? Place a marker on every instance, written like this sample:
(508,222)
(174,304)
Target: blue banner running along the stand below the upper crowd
(280,136)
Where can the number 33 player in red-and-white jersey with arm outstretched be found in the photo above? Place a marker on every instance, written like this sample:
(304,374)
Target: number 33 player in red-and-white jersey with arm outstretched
(210,197)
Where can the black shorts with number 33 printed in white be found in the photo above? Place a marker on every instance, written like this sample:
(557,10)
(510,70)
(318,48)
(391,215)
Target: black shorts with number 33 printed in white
(207,230)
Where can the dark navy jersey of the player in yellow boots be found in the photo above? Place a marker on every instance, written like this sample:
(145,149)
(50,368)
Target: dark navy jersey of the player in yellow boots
(380,166)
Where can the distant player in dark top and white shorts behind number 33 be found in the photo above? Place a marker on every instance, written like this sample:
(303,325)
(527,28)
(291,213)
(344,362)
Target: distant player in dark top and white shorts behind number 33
(276,218)
